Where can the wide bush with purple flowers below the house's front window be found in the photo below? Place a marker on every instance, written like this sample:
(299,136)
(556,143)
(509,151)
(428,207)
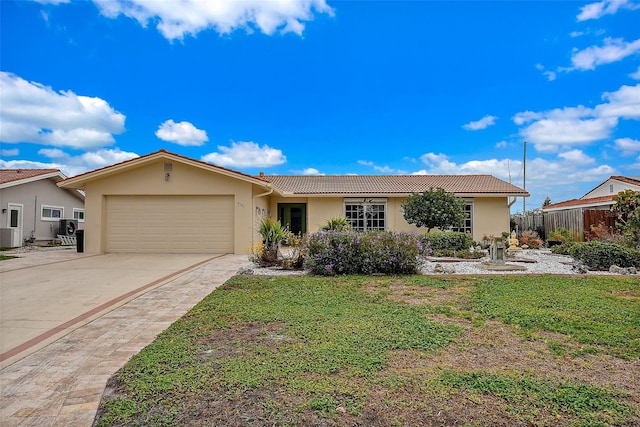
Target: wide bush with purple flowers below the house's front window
(331,252)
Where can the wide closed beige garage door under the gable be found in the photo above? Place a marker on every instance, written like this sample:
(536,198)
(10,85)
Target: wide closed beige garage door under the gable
(169,224)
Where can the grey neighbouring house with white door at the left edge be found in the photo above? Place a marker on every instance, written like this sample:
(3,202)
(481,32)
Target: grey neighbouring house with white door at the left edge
(33,206)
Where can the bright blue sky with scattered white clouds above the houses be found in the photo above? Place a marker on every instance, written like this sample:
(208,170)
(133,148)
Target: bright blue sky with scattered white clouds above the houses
(328,87)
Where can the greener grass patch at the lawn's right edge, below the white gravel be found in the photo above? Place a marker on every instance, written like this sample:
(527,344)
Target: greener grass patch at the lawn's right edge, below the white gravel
(601,311)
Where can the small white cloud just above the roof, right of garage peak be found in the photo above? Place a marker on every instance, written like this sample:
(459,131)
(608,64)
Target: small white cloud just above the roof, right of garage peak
(245,154)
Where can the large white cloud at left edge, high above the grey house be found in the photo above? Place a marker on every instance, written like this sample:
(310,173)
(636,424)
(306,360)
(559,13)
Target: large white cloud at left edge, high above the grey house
(32,112)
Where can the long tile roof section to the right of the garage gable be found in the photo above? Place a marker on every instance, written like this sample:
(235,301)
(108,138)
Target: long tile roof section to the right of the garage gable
(392,184)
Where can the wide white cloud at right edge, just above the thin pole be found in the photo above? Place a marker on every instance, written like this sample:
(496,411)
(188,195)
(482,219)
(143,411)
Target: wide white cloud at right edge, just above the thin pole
(570,126)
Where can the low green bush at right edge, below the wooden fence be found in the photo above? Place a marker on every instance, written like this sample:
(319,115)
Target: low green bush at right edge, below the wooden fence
(600,255)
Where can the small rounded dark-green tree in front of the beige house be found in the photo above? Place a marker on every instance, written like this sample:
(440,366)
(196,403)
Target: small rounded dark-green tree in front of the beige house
(434,209)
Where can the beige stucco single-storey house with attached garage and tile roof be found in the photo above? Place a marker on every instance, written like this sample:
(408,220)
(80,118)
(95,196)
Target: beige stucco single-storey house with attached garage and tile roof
(167,203)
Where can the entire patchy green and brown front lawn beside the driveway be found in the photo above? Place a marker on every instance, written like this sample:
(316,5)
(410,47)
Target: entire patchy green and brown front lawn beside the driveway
(384,351)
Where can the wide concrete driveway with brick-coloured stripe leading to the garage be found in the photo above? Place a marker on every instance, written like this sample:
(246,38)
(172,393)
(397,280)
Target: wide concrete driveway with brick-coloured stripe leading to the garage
(69,321)
